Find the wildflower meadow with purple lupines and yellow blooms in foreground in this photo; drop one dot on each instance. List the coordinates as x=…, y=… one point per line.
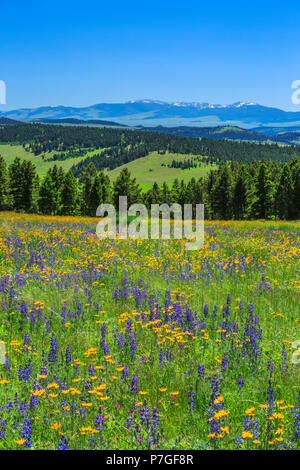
x=122, y=344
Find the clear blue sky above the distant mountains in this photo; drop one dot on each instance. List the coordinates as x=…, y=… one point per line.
x=82, y=53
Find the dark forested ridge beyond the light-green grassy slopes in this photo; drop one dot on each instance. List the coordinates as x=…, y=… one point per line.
x=119, y=146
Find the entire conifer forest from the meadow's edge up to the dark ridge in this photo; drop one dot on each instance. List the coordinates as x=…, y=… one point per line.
x=243, y=180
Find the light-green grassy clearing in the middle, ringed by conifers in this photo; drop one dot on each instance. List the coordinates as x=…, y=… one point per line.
x=149, y=169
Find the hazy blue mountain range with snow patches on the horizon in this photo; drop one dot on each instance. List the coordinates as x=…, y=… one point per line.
x=154, y=113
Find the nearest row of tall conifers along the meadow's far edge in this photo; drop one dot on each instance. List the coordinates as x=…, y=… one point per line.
x=235, y=190
